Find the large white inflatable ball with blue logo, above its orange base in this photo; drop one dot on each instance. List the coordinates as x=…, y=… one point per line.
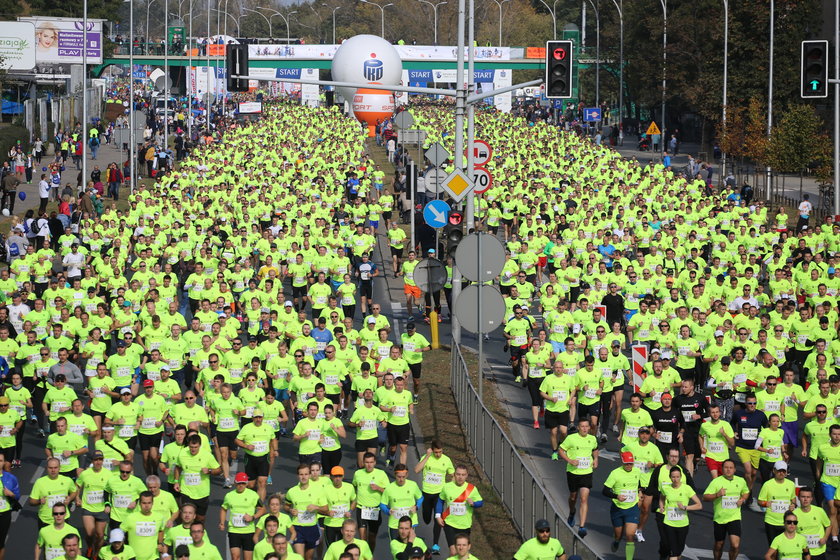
x=367, y=59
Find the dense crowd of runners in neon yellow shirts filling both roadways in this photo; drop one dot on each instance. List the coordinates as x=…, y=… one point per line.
x=229, y=314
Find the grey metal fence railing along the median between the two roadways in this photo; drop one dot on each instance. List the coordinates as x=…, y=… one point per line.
x=520, y=490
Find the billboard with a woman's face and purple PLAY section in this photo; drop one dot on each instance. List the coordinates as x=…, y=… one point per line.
x=60, y=40
